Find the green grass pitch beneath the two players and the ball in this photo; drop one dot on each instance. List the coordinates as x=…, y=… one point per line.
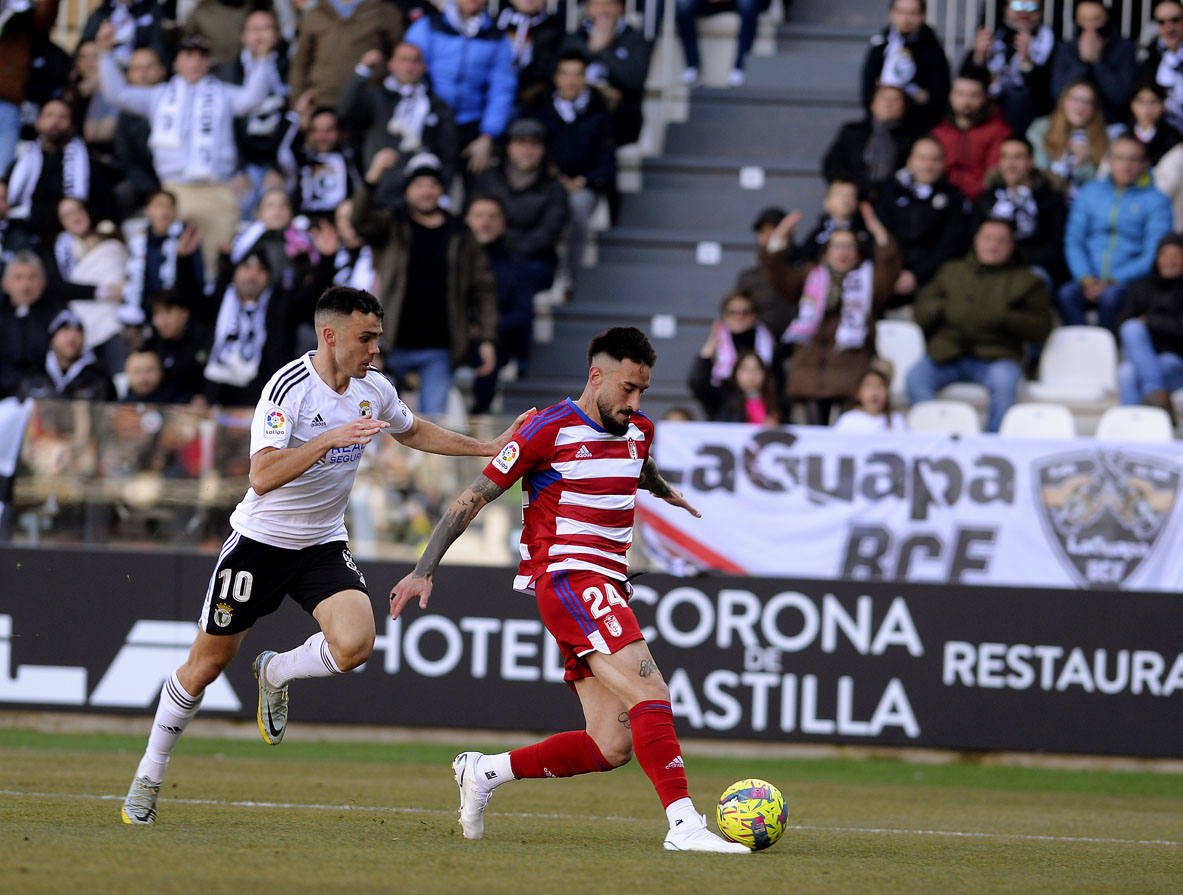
x=361, y=818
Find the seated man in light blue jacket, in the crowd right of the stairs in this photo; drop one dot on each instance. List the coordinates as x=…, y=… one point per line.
x=1114, y=231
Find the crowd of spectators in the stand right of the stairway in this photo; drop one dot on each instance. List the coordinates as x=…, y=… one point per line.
x=1037, y=180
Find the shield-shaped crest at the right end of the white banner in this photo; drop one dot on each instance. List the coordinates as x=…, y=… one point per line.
x=1106, y=511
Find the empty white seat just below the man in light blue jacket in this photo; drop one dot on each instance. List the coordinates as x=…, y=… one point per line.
x=1079, y=364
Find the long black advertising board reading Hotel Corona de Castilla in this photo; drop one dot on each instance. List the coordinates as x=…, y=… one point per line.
x=801, y=661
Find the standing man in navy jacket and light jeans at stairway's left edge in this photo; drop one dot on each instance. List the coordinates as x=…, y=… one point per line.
x=580, y=144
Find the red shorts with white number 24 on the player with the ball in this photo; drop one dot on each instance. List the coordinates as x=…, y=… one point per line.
x=586, y=613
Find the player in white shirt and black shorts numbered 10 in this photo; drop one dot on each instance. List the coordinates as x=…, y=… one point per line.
x=311, y=429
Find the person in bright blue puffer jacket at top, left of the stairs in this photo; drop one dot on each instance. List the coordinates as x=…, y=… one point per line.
x=470, y=64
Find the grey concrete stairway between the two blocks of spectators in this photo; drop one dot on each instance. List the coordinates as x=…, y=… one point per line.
x=686, y=236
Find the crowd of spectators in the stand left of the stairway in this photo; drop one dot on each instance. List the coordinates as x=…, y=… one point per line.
x=174, y=196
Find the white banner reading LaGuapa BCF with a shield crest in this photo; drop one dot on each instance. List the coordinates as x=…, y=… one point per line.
x=811, y=503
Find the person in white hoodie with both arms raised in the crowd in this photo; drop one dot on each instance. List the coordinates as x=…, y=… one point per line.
x=192, y=138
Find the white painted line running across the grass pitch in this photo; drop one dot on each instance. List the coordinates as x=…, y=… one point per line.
x=535, y=815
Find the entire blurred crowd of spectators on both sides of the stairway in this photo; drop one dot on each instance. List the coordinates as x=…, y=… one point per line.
x=182, y=184
